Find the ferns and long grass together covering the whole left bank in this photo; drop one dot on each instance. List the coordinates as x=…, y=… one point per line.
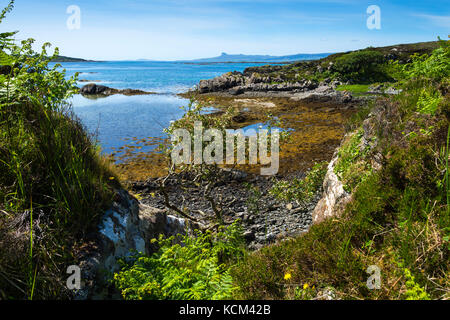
x=54, y=185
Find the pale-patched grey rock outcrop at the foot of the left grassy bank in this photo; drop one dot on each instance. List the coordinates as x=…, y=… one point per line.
x=126, y=227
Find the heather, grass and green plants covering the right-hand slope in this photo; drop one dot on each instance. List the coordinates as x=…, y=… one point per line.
x=398, y=217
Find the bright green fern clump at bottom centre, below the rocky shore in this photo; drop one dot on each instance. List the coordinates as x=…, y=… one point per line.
x=193, y=268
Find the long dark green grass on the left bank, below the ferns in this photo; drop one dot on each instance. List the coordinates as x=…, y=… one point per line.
x=52, y=173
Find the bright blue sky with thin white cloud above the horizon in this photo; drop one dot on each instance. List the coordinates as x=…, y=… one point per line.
x=176, y=30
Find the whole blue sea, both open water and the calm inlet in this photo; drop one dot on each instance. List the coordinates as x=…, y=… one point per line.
x=118, y=120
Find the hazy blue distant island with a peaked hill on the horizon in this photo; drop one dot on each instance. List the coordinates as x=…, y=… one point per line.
x=260, y=58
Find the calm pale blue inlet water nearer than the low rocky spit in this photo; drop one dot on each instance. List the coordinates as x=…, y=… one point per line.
x=117, y=119
